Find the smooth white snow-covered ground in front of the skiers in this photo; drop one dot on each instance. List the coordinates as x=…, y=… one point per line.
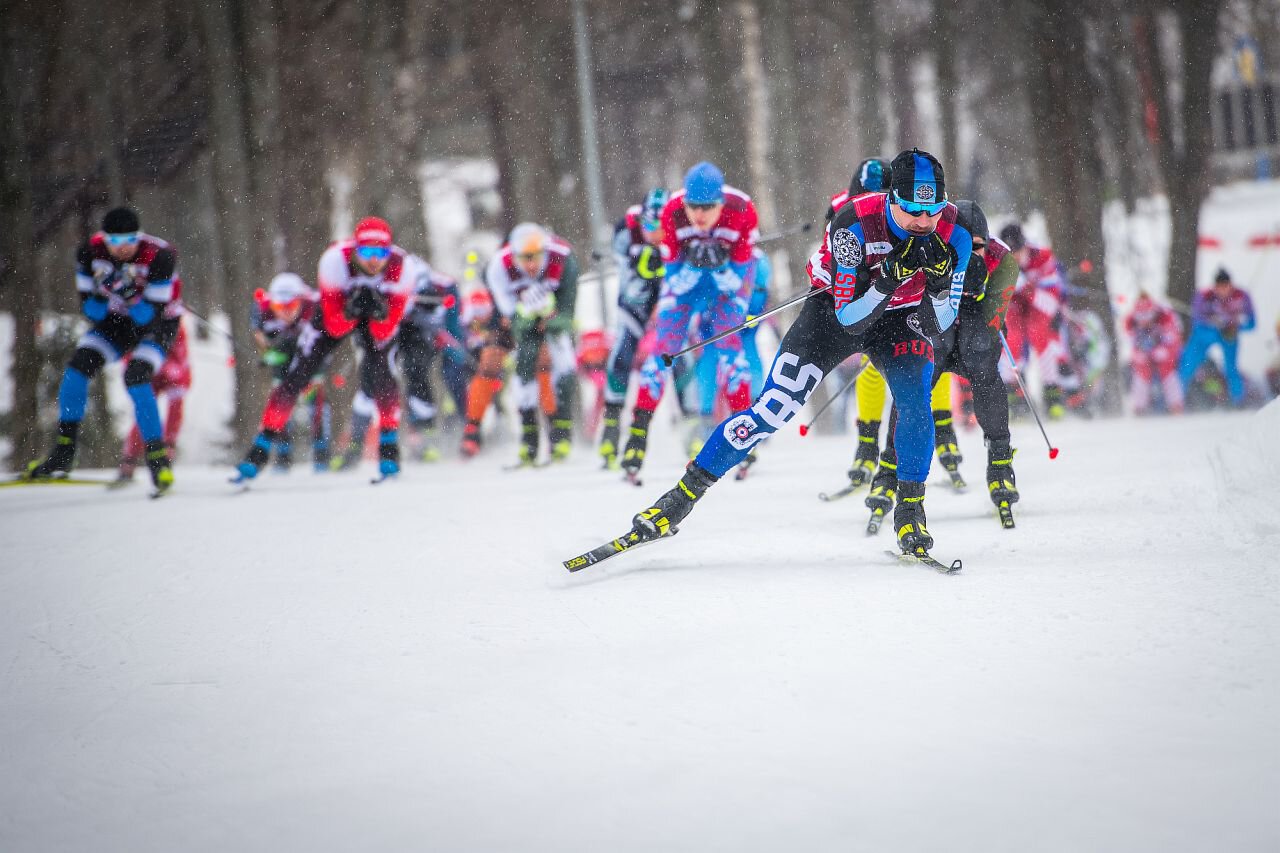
x=324, y=665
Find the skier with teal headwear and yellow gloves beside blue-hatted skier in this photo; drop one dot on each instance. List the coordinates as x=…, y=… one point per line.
x=639, y=250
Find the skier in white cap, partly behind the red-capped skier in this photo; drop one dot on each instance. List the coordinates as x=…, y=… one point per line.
x=278, y=318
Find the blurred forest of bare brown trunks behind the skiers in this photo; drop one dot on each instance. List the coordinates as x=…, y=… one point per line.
x=226, y=121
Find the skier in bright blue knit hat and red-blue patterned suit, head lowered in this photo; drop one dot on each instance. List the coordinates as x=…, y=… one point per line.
x=708, y=230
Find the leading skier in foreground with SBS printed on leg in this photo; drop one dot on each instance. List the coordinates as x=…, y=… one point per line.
x=895, y=266
